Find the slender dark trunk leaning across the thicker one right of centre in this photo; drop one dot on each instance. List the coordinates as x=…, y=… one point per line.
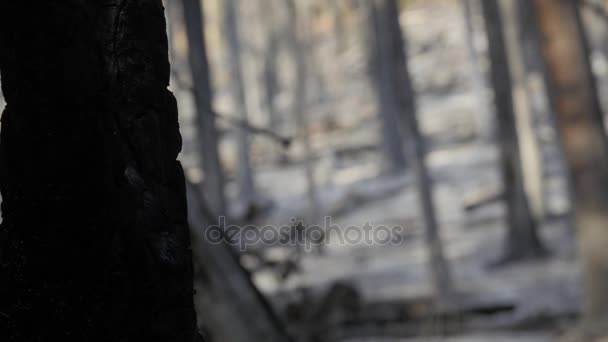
x=403, y=98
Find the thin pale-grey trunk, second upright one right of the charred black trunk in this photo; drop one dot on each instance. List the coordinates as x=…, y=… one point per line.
x=244, y=178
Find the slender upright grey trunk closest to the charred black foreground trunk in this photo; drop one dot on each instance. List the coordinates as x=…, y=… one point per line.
x=213, y=183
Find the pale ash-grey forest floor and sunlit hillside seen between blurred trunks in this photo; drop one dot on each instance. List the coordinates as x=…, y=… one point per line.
x=526, y=301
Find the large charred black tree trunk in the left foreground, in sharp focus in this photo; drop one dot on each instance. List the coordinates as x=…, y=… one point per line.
x=94, y=238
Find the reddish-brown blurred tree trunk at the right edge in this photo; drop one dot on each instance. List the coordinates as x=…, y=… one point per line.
x=575, y=101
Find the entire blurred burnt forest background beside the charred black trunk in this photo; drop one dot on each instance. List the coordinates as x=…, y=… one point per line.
x=476, y=126
